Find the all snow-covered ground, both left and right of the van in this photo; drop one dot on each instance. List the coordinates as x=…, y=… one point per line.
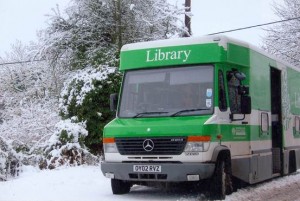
x=87, y=183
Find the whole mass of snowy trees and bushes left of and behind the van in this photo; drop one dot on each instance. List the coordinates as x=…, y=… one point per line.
x=78, y=46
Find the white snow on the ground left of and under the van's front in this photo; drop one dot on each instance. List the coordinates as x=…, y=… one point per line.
x=82, y=183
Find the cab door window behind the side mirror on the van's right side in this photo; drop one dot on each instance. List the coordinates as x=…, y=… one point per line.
x=234, y=97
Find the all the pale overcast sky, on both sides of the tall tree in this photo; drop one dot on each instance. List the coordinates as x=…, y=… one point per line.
x=20, y=19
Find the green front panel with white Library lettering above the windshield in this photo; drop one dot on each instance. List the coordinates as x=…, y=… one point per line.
x=168, y=56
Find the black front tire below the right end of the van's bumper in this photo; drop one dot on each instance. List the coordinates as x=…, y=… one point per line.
x=221, y=184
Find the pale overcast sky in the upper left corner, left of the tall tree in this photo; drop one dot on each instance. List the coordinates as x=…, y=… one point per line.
x=21, y=19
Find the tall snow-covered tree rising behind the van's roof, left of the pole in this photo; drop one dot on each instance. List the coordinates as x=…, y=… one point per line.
x=91, y=32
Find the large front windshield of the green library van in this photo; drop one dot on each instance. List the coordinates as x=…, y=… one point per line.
x=173, y=91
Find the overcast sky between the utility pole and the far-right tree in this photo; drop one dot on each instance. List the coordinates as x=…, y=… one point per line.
x=222, y=15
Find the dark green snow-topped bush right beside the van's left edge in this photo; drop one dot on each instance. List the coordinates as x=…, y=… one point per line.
x=86, y=97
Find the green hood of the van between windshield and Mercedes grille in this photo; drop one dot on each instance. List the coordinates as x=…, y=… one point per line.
x=162, y=126
